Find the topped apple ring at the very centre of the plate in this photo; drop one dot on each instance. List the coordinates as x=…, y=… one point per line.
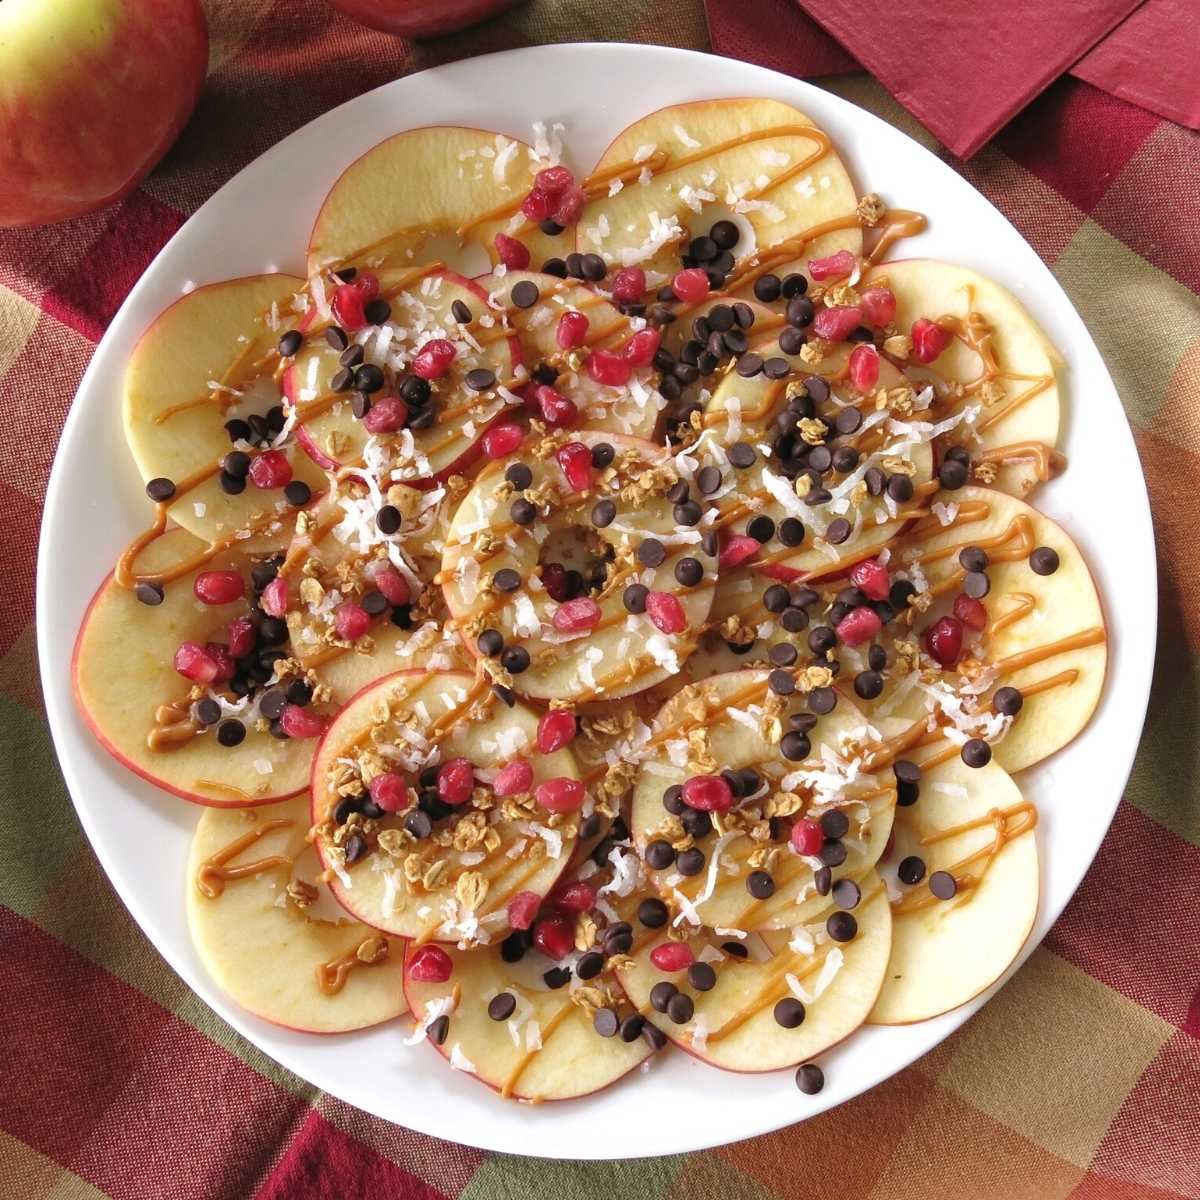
x=592, y=646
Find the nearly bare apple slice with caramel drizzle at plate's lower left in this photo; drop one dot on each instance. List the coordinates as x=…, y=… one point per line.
x=253, y=915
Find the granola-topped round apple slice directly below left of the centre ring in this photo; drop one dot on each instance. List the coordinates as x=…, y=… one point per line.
x=452, y=877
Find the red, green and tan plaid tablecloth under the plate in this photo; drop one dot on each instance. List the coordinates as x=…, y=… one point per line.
x=1081, y=1079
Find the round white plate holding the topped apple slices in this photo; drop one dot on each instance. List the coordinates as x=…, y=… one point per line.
x=260, y=221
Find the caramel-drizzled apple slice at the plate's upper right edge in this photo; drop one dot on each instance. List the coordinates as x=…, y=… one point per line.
x=999, y=357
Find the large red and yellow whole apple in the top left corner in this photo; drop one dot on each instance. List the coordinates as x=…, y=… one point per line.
x=93, y=94
